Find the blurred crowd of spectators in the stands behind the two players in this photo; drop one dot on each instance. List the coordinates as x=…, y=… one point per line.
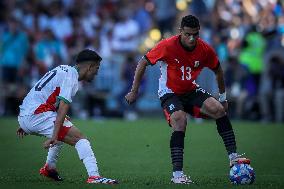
x=38, y=35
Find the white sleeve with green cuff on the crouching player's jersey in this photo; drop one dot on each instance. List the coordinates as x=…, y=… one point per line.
x=68, y=87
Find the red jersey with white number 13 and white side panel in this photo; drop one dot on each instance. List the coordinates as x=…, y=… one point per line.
x=179, y=67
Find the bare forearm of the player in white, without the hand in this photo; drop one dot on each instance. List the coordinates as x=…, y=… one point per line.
x=61, y=113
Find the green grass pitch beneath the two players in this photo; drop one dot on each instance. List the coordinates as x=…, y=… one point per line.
x=137, y=154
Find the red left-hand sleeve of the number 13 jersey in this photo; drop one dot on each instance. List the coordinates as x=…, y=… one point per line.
x=157, y=53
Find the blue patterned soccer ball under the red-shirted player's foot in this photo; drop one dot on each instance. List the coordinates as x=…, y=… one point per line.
x=242, y=174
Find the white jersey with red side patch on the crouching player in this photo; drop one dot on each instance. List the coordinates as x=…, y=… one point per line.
x=59, y=83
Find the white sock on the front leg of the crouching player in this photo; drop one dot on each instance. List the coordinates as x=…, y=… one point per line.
x=86, y=154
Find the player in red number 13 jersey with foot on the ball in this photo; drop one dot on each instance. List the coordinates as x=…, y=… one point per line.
x=181, y=58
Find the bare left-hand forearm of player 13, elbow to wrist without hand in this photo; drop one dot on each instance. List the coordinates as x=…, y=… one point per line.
x=139, y=72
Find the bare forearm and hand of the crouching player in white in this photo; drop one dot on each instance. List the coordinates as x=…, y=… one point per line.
x=61, y=113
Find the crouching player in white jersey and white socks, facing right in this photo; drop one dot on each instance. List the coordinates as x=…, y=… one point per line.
x=43, y=112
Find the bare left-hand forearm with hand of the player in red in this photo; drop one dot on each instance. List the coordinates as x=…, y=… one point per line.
x=139, y=72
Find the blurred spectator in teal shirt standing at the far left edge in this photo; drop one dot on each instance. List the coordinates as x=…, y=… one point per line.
x=13, y=52
